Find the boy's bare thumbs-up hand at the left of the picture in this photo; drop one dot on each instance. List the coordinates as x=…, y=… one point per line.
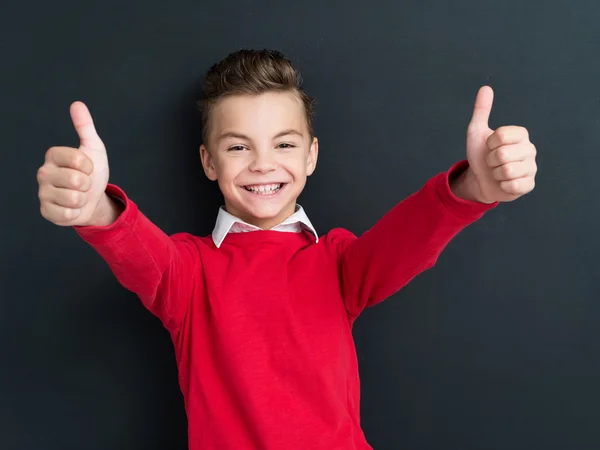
x=72, y=181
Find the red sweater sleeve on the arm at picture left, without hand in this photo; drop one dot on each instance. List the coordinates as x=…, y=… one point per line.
x=160, y=269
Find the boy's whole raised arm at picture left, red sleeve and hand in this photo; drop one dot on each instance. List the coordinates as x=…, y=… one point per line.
x=74, y=191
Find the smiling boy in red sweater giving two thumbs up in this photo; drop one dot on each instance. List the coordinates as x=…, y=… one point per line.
x=261, y=312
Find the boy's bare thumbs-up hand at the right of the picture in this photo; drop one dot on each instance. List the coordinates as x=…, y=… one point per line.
x=502, y=164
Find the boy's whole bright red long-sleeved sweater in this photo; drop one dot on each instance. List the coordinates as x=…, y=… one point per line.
x=262, y=326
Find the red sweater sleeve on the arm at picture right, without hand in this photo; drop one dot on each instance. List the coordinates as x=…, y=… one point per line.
x=403, y=243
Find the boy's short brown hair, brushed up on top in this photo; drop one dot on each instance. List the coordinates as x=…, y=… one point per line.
x=252, y=72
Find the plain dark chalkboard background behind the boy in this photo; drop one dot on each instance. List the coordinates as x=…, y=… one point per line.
x=496, y=347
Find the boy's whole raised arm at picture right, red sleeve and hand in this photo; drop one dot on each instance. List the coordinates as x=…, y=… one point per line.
x=500, y=167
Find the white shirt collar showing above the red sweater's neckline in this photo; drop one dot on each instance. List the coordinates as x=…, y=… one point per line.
x=228, y=223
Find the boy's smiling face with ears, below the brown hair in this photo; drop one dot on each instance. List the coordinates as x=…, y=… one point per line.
x=260, y=154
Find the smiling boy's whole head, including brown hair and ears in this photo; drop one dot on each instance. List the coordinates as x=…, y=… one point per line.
x=258, y=139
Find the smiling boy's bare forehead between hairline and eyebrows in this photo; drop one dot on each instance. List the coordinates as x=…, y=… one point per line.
x=259, y=114
